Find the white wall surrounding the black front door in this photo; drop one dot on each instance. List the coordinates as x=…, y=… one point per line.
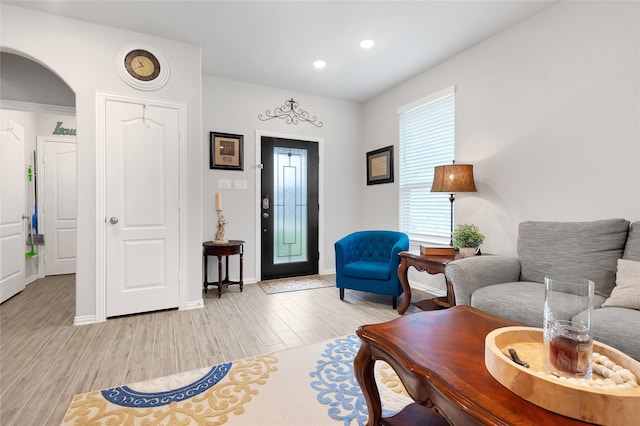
x=233, y=107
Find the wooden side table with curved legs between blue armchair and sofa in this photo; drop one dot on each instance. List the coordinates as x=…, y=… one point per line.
x=431, y=265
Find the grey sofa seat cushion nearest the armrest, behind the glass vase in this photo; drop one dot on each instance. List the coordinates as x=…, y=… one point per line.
x=518, y=301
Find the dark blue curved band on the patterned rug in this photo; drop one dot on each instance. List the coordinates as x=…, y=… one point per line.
x=127, y=397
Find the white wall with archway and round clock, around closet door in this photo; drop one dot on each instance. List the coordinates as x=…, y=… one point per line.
x=83, y=56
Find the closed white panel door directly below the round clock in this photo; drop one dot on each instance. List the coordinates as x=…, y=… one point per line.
x=142, y=206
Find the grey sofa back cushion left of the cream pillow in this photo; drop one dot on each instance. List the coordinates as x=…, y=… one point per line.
x=570, y=250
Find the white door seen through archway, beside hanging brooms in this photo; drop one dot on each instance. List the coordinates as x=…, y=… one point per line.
x=59, y=197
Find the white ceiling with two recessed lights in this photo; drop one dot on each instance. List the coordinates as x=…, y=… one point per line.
x=274, y=43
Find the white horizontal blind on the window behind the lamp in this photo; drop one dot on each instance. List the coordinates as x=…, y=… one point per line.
x=427, y=136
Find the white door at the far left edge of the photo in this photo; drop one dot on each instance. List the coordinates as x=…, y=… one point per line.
x=12, y=206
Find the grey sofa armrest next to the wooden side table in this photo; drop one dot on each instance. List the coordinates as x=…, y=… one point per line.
x=471, y=273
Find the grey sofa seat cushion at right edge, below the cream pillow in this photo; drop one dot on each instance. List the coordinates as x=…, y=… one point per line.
x=617, y=327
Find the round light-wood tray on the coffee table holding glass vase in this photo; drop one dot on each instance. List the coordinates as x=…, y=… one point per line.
x=590, y=404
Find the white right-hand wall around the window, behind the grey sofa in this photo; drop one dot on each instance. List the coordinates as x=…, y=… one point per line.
x=548, y=113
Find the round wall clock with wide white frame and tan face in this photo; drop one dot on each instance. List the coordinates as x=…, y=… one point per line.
x=142, y=67
